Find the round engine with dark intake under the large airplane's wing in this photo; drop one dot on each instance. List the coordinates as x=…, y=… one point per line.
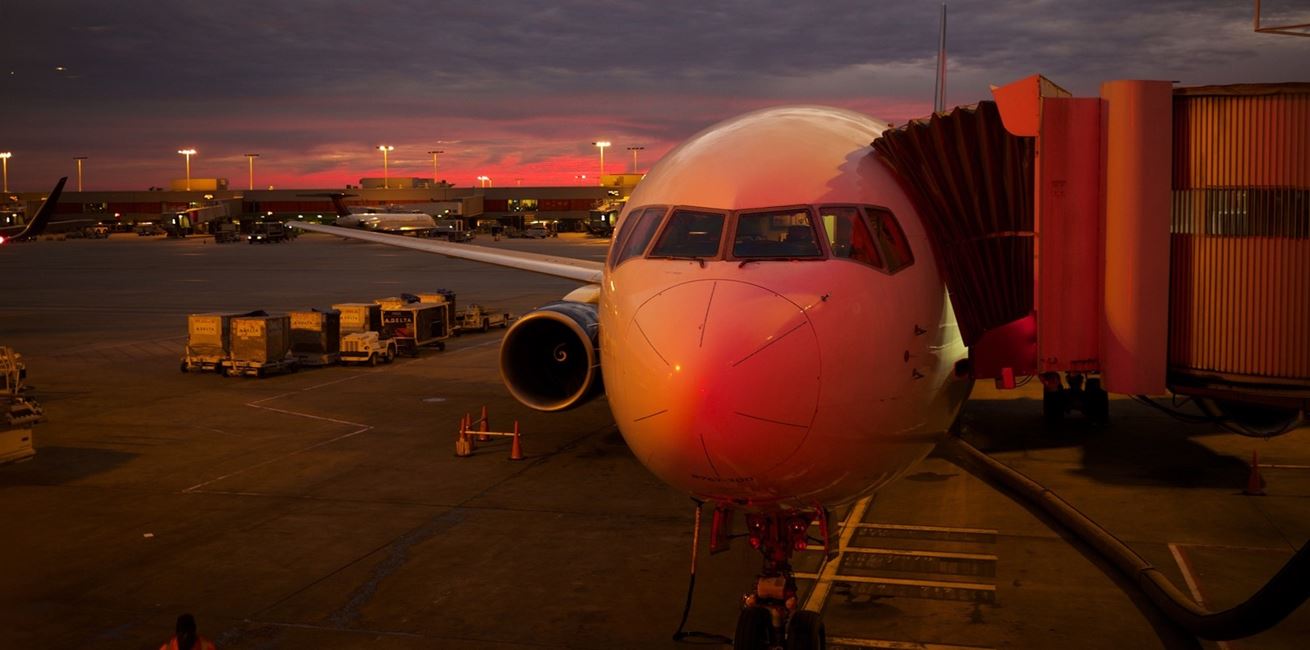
x=551, y=357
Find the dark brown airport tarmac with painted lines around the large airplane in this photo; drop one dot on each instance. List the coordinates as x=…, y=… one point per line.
x=328, y=509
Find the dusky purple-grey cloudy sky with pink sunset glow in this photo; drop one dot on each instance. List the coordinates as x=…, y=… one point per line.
x=519, y=90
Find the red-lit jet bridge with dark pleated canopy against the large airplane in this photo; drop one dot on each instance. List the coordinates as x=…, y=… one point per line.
x=1153, y=237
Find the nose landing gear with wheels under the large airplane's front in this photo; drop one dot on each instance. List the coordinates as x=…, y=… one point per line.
x=771, y=615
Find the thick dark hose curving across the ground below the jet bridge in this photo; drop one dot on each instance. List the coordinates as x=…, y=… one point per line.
x=1274, y=602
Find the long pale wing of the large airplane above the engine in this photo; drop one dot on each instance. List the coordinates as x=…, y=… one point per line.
x=580, y=271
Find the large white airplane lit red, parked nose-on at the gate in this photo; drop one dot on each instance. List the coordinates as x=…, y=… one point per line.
x=774, y=332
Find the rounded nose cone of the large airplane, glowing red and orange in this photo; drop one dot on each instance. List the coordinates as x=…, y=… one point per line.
x=732, y=375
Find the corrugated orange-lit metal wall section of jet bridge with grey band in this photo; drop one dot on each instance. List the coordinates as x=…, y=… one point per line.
x=1240, y=294
